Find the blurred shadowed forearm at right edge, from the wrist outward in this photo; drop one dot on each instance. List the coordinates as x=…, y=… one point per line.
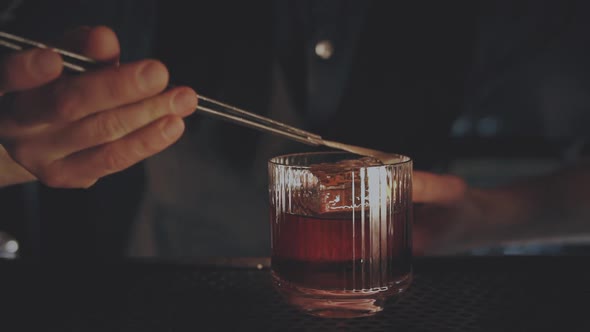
x=553, y=205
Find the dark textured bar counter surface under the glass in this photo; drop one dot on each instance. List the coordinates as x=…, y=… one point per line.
x=466, y=293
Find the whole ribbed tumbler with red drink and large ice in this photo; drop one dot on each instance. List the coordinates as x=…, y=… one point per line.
x=341, y=231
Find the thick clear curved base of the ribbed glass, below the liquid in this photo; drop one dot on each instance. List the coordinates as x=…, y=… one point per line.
x=339, y=303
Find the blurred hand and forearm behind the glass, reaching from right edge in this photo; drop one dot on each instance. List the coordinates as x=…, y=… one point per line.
x=554, y=205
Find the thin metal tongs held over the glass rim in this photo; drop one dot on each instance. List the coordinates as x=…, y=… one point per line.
x=78, y=63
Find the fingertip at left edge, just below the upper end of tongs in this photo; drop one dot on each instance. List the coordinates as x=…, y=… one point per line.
x=29, y=69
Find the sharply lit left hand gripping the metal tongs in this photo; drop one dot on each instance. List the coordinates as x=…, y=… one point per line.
x=69, y=131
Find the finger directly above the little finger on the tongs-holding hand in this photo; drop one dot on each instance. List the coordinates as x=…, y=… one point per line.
x=111, y=125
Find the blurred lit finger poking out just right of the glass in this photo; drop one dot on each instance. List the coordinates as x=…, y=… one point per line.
x=437, y=189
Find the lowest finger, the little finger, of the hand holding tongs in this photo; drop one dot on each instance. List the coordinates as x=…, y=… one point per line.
x=83, y=168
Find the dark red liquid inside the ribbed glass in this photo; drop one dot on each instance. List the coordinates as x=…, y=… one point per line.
x=335, y=251
